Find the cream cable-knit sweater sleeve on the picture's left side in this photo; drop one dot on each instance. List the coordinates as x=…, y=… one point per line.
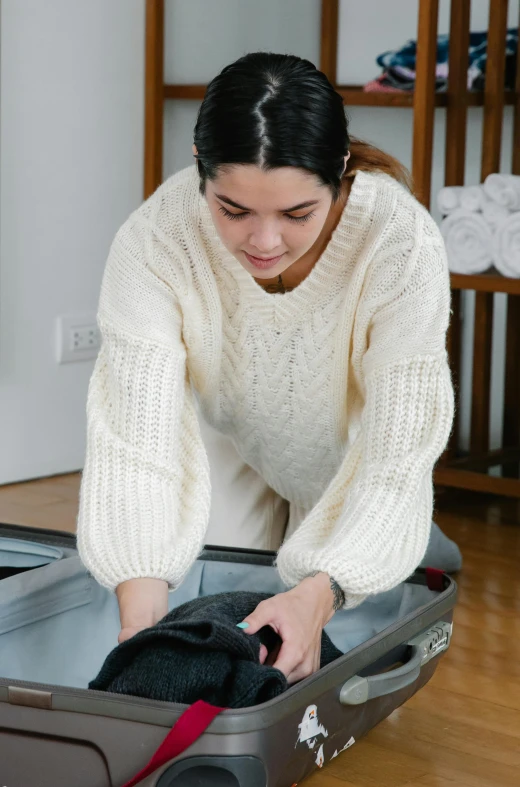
x=145, y=491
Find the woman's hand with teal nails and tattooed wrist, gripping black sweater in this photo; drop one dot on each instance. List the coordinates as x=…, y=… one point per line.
x=298, y=616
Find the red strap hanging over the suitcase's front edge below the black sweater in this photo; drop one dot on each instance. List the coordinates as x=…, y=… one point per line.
x=184, y=732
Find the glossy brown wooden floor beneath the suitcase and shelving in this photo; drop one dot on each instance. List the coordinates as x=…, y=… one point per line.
x=463, y=729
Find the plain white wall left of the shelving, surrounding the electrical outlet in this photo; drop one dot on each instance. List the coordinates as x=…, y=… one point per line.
x=71, y=160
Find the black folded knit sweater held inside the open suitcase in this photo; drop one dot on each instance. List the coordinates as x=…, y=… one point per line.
x=197, y=652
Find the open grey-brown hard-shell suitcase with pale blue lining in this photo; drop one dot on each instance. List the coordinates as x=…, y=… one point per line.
x=57, y=626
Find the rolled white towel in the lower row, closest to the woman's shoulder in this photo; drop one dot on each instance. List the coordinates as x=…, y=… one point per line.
x=469, y=242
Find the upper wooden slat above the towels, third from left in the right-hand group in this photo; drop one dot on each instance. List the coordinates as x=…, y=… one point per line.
x=494, y=88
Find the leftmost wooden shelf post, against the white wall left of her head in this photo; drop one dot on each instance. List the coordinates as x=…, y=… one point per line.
x=154, y=104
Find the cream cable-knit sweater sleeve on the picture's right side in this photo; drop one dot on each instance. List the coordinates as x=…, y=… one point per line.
x=370, y=529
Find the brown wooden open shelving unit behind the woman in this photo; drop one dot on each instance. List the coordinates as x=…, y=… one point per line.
x=468, y=471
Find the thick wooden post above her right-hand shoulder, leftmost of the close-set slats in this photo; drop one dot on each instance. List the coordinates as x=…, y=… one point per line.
x=424, y=98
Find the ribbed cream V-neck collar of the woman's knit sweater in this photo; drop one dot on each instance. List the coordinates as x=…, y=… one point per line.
x=330, y=271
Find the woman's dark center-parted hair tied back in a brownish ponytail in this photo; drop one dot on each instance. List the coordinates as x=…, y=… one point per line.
x=280, y=111
